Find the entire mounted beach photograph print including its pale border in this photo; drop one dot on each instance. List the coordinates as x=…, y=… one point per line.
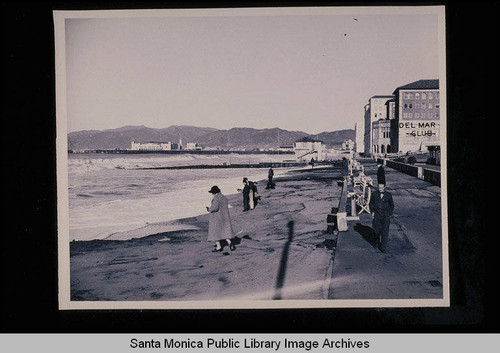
x=252, y=158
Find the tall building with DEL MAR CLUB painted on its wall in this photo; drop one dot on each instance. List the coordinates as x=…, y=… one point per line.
x=417, y=116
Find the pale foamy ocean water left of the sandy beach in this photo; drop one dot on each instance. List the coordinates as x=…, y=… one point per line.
x=109, y=194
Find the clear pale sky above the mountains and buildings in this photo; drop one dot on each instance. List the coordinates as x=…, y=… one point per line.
x=300, y=72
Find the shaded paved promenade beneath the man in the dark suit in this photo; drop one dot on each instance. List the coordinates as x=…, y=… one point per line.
x=412, y=268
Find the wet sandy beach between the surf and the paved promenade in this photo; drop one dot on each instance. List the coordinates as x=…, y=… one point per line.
x=282, y=251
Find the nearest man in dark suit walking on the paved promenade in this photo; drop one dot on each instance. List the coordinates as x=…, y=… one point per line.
x=381, y=207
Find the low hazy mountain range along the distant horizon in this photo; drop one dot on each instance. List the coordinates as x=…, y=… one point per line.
x=121, y=138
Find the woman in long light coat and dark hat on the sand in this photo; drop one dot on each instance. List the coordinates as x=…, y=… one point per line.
x=219, y=226
